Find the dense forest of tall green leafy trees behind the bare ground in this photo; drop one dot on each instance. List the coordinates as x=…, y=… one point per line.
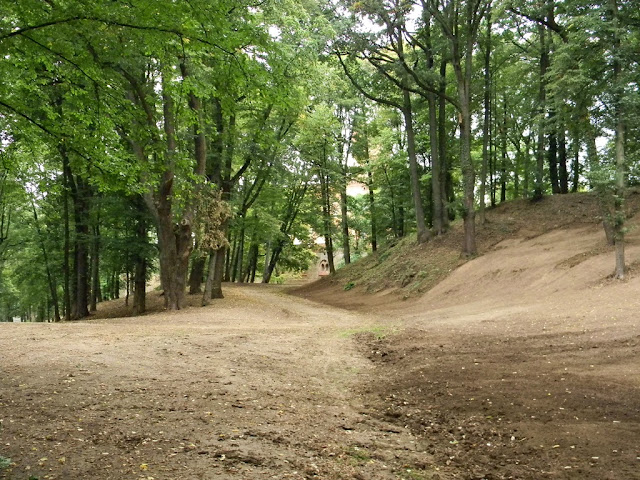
x=205, y=142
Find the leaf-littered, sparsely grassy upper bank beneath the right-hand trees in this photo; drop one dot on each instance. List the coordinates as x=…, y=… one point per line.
x=406, y=270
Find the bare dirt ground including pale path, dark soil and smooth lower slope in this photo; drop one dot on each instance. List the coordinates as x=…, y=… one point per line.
x=523, y=363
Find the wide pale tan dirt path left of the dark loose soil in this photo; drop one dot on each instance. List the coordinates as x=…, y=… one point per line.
x=260, y=385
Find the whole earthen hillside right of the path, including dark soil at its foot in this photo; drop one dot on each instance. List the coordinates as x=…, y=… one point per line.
x=520, y=363
